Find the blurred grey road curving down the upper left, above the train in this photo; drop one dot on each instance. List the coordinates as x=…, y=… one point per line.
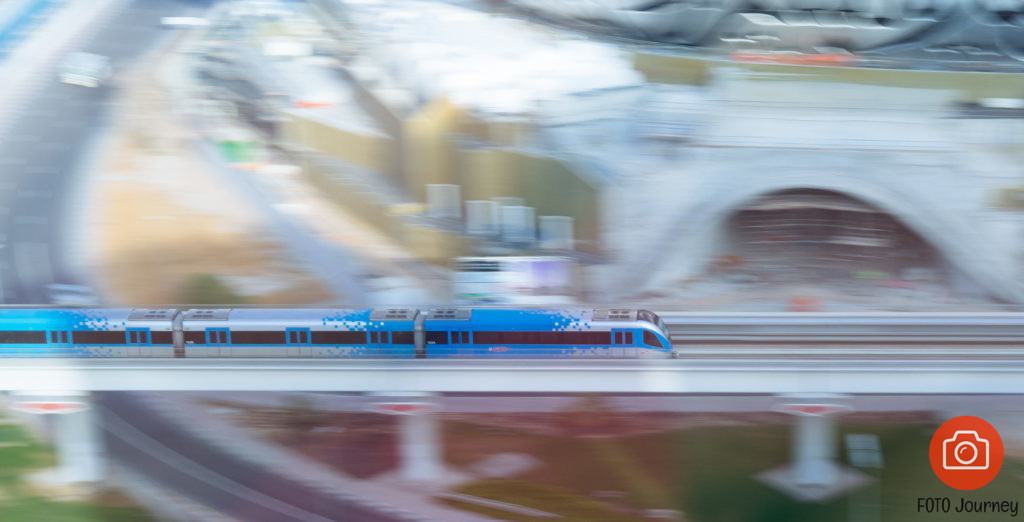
x=45, y=149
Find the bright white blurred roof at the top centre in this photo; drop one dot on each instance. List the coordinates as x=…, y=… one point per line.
x=496, y=66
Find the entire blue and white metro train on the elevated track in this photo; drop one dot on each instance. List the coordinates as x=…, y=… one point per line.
x=331, y=333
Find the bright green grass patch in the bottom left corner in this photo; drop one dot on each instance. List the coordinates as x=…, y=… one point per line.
x=21, y=456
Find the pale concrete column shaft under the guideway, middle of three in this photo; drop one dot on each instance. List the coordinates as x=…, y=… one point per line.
x=420, y=447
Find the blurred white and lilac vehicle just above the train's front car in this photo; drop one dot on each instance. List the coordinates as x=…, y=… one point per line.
x=510, y=280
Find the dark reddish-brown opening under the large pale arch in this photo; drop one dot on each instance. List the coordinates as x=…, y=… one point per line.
x=824, y=238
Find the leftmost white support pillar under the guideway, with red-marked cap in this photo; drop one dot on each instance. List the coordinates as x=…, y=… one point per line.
x=75, y=434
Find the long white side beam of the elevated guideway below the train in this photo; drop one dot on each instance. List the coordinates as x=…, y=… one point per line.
x=764, y=375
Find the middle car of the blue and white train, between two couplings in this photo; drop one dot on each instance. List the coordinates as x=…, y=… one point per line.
x=324, y=333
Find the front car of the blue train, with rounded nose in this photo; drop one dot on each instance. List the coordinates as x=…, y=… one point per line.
x=543, y=334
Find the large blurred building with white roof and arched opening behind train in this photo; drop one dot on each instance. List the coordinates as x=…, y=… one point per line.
x=665, y=163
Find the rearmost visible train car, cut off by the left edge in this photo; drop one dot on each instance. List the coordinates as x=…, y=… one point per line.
x=87, y=333
